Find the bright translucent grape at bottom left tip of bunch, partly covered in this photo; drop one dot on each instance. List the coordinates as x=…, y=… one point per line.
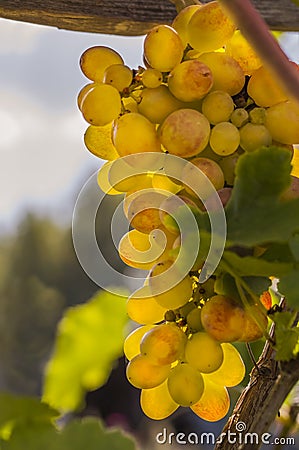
x=156, y=403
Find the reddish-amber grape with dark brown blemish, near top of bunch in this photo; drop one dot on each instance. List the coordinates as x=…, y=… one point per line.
x=190, y=81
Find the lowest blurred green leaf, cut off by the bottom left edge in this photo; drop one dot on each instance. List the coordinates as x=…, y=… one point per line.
x=77, y=435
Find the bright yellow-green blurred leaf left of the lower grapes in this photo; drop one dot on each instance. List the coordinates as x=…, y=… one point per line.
x=90, y=338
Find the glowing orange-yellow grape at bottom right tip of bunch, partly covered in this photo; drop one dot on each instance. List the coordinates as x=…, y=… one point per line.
x=214, y=402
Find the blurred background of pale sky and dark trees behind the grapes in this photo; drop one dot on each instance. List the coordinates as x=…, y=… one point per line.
x=43, y=166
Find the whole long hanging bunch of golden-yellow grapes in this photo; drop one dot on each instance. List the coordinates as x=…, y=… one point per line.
x=205, y=97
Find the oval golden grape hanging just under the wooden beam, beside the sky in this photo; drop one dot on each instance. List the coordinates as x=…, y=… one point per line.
x=163, y=48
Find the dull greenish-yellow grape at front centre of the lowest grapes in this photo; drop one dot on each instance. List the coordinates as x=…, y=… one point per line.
x=185, y=384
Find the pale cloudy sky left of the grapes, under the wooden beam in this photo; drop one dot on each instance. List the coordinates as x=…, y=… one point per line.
x=42, y=156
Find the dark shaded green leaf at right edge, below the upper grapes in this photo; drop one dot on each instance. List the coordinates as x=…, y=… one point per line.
x=255, y=213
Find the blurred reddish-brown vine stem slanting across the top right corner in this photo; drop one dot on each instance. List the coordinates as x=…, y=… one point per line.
x=256, y=31
